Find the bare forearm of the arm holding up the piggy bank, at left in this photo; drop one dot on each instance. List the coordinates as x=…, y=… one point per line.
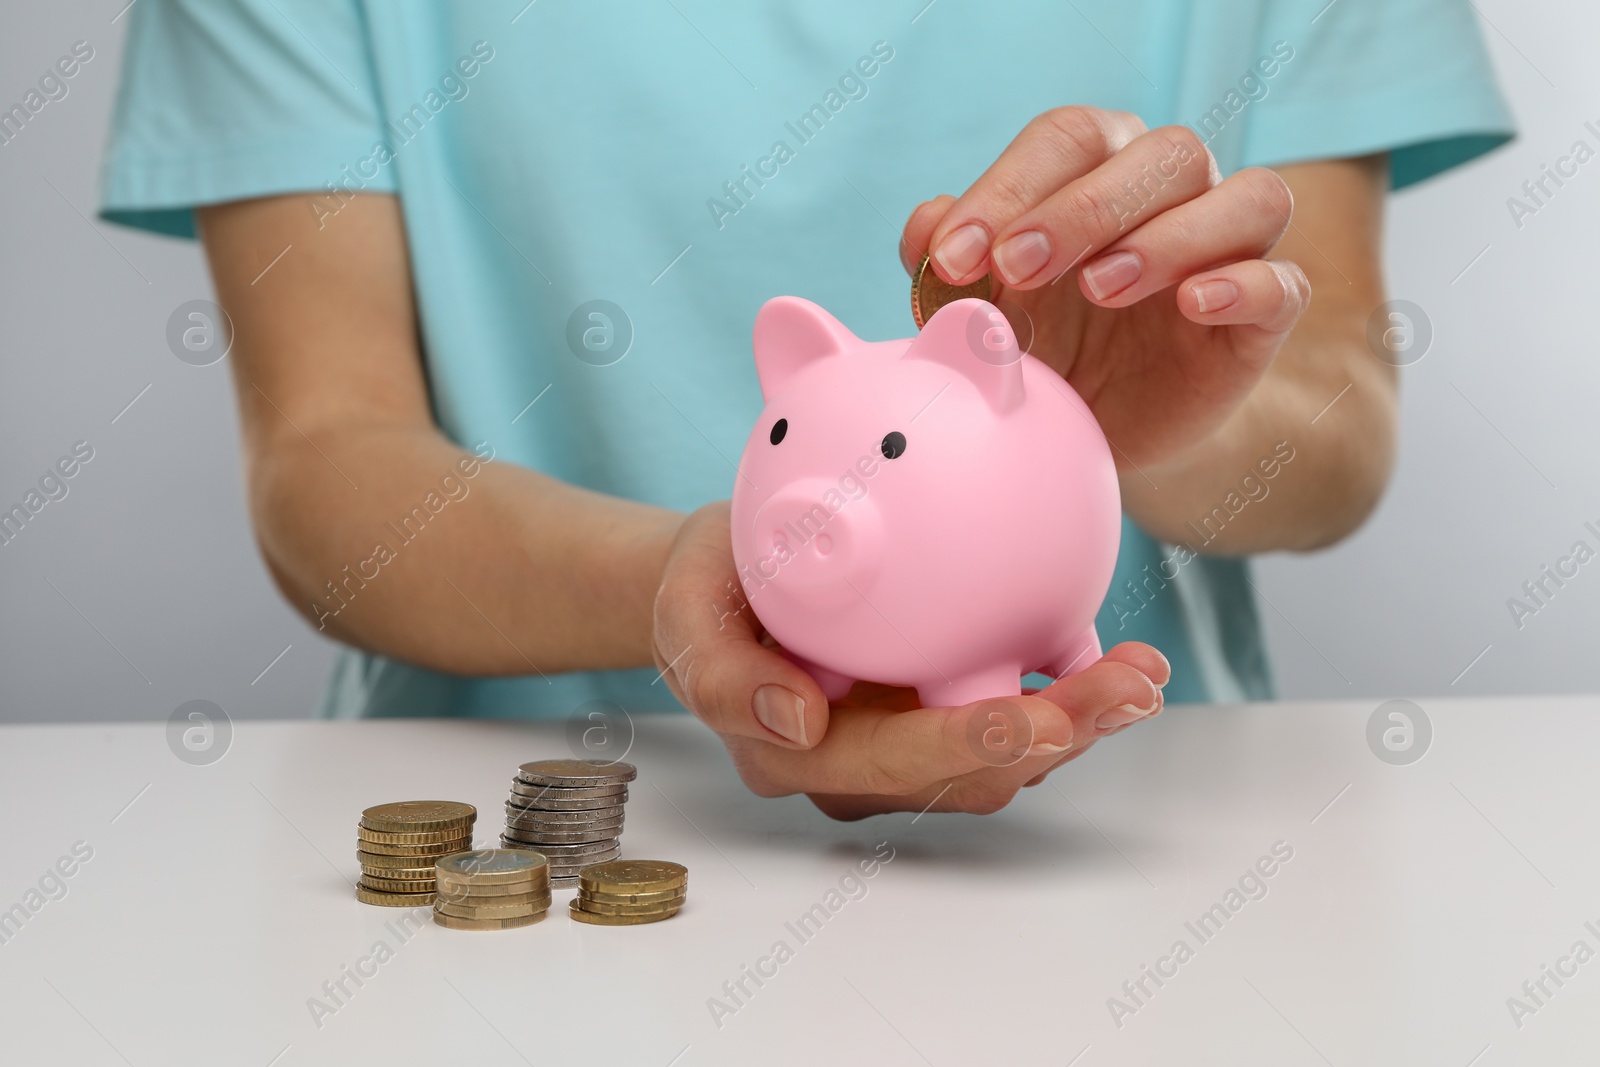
x=398, y=541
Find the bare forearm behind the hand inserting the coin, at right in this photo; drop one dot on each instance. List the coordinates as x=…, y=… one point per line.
x=1286, y=471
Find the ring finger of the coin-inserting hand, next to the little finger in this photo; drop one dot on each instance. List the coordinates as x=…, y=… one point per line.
x=1239, y=220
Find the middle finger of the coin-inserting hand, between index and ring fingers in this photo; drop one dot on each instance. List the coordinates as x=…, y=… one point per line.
x=1158, y=172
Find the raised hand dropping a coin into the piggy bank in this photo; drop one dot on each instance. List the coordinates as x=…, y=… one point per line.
x=1174, y=316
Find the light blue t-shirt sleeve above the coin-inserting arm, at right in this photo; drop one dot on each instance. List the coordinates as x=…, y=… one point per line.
x=1358, y=78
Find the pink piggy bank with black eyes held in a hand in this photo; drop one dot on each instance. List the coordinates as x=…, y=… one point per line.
x=938, y=513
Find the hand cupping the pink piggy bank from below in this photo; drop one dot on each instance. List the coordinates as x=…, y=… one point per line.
x=876, y=751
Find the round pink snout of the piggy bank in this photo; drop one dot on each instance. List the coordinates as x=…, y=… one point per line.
x=815, y=541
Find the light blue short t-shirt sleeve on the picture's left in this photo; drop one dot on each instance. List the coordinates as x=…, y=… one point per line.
x=228, y=100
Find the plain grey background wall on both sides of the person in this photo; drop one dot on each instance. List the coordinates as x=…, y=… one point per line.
x=143, y=589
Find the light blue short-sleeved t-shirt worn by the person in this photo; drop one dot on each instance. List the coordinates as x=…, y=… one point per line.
x=684, y=162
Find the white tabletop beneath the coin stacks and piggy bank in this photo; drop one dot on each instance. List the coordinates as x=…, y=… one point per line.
x=1418, y=900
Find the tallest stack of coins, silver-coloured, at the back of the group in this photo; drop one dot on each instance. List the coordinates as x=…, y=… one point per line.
x=570, y=812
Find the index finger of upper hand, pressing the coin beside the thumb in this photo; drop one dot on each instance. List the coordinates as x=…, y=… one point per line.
x=1052, y=151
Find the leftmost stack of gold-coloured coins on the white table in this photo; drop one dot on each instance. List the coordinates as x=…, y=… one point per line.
x=399, y=845
